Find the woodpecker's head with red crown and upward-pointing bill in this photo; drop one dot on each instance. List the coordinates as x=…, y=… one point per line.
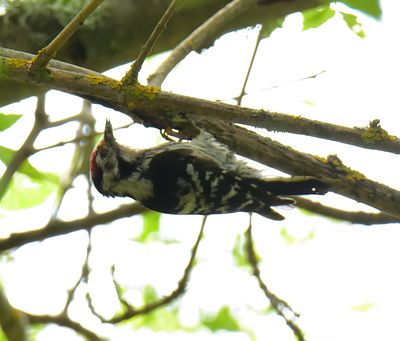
x=104, y=169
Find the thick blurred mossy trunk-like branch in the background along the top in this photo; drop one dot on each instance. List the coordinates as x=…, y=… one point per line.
x=117, y=29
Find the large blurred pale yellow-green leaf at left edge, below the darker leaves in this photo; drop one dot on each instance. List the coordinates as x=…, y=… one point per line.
x=24, y=192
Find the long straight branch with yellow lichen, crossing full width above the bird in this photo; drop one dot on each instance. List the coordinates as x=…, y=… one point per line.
x=147, y=103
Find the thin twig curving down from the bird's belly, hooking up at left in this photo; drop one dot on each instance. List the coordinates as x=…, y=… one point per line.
x=180, y=289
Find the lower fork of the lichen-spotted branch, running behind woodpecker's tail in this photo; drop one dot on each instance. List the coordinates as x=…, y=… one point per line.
x=341, y=179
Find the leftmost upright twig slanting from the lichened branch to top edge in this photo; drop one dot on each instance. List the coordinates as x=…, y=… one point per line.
x=46, y=54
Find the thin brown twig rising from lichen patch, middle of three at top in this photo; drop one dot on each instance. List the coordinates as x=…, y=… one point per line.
x=131, y=76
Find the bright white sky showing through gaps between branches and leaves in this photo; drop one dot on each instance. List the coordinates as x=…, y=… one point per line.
x=343, y=267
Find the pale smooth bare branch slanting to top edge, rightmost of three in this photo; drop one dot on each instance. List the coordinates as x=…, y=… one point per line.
x=197, y=39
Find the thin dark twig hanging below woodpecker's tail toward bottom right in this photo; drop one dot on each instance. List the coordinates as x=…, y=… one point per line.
x=281, y=307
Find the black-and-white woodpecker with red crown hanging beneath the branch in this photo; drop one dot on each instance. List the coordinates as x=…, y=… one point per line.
x=198, y=177
